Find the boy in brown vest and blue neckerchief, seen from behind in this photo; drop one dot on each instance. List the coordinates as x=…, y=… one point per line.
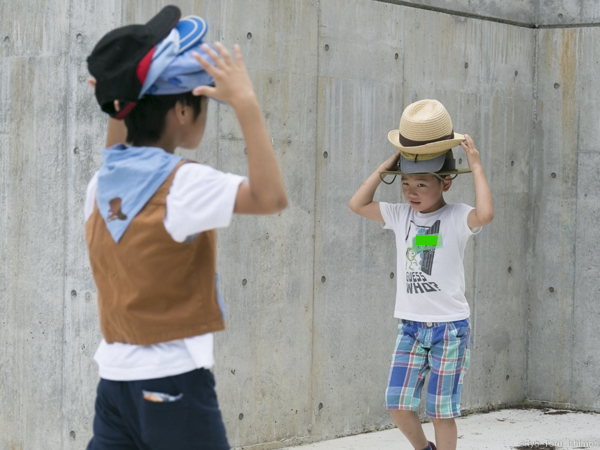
x=150, y=221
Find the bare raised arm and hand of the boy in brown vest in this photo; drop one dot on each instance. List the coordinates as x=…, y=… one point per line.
x=265, y=192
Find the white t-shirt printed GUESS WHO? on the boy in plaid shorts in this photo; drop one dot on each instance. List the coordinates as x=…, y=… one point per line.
x=431, y=282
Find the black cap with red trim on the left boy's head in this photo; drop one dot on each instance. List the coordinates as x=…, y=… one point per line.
x=121, y=59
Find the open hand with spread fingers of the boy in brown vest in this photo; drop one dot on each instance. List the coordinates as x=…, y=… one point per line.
x=232, y=83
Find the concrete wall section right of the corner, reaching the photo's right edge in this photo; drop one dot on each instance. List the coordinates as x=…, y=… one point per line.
x=564, y=365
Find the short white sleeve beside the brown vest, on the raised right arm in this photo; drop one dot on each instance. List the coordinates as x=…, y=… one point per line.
x=201, y=198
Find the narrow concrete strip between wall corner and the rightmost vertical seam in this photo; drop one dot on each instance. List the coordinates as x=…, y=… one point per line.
x=555, y=218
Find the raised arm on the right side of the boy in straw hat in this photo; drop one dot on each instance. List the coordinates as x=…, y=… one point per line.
x=484, y=206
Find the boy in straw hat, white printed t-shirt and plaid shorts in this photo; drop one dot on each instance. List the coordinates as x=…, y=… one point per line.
x=431, y=235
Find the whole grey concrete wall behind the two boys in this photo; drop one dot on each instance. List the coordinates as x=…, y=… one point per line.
x=310, y=292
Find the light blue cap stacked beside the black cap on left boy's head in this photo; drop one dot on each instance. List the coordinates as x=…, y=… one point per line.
x=173, y=69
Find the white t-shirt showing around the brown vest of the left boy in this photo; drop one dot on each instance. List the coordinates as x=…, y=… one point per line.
x=200, y=199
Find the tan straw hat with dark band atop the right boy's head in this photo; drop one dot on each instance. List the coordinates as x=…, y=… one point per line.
x=425, y=131
